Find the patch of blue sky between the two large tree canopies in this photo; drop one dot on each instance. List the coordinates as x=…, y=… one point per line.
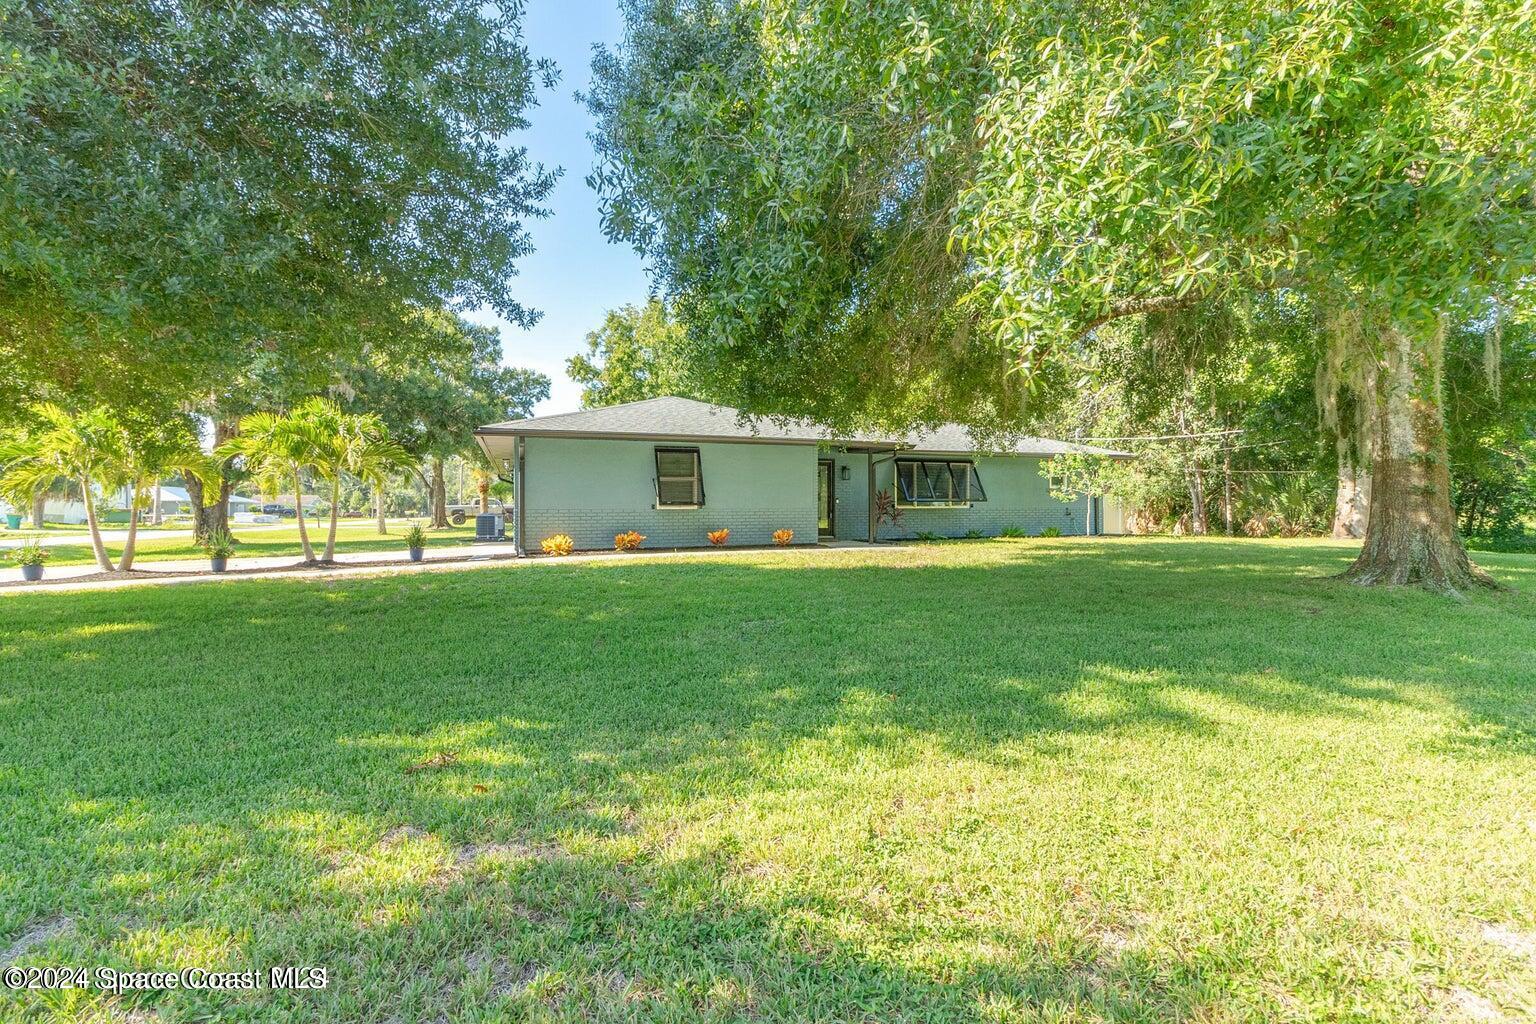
x=577, y=274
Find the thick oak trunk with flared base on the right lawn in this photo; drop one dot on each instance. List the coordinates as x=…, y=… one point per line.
x=1411, y=535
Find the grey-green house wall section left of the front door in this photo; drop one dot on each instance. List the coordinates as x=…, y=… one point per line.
x=595, y=489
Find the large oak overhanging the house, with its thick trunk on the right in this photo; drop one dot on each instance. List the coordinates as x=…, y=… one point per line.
x=918, y=211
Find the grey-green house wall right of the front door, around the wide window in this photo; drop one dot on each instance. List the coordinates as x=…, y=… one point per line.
x=1018, y=495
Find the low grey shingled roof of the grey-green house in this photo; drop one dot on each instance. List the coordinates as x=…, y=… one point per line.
x=686, y=420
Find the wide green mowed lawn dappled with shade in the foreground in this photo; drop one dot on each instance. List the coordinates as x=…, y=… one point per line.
x=1041, y=781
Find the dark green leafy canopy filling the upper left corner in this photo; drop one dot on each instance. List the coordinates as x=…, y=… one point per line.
x=191, y=190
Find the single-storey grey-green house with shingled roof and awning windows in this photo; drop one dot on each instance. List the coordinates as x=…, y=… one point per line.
x=675, y=469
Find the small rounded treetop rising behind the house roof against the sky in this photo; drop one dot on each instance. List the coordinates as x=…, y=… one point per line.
x=638, y=354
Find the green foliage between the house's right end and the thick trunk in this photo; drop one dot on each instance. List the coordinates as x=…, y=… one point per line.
x=1193, y=394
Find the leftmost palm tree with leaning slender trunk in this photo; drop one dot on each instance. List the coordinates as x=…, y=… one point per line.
x=90, y=449
